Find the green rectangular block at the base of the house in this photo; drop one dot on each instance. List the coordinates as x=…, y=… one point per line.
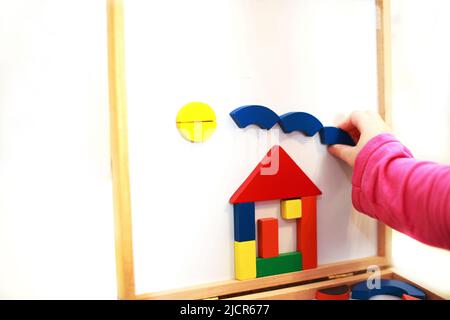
x=284, y=263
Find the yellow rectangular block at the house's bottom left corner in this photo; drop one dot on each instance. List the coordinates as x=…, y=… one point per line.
x=245, y=260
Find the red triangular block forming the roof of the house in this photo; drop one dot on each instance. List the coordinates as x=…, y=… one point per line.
x=268, y=183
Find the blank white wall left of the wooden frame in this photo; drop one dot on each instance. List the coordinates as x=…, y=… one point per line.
x=56, y=226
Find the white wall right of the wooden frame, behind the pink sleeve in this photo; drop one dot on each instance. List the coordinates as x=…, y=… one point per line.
x=421, y=115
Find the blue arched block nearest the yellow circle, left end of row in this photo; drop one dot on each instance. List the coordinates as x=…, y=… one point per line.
x=261, y=116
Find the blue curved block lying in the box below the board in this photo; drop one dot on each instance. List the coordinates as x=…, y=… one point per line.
x=387, y=287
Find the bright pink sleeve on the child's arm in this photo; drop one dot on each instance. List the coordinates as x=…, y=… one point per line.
x=410, y=196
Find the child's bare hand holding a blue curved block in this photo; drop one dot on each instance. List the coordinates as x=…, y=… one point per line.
x=362, y=126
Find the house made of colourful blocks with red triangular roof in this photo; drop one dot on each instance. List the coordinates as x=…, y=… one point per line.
x=276, y=177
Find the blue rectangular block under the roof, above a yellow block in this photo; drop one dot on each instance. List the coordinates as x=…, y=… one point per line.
x=244, y=221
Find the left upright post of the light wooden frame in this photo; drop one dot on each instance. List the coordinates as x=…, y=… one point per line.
x=119, y=151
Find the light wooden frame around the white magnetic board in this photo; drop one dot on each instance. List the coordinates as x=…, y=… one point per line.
x=121, y=183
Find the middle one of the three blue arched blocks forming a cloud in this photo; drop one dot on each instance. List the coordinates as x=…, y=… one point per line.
x=300, y=121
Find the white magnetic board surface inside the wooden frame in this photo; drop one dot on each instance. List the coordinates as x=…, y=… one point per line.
x=317, y=56
